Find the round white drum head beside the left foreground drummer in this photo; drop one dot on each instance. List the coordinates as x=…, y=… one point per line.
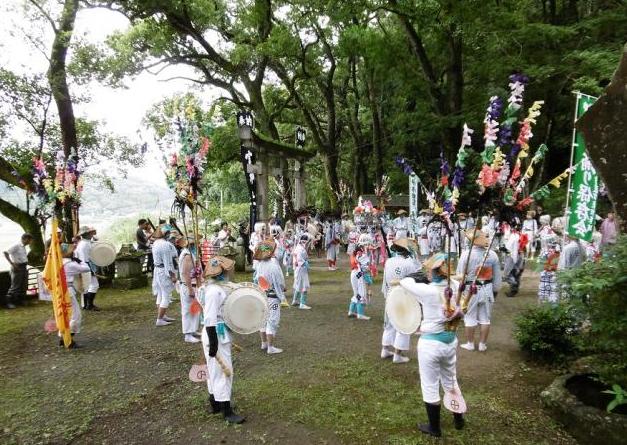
x=245, y=309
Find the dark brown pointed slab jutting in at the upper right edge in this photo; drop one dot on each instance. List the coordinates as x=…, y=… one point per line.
x=603, y=127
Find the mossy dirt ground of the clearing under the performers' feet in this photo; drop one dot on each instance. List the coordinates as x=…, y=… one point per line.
x=128, y=382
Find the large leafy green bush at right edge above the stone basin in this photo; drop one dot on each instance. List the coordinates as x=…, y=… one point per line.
x=600, y=290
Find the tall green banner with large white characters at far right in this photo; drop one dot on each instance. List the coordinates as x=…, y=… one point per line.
x=585, y=185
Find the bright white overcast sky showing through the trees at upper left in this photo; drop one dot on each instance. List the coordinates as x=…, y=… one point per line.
x=120, y=109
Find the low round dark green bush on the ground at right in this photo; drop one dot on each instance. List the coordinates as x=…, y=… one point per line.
x=548, y=333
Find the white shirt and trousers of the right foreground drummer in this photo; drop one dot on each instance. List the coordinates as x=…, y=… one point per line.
x=436, y=359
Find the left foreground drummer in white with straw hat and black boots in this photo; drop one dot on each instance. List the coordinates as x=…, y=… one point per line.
x=216, y=340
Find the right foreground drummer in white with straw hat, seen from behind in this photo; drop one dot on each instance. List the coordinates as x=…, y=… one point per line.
x=437, y=346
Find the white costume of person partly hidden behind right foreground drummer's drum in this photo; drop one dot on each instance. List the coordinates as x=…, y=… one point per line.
x=396, y=268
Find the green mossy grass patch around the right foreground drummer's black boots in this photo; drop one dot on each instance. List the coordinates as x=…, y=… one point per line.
x=361, y=403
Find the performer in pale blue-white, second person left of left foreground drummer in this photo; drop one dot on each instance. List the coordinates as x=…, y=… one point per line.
x=164, y=276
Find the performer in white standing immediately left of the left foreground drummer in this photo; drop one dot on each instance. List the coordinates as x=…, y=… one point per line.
x=187, y=290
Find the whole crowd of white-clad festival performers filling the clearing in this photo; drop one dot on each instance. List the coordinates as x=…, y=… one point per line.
x=454, y=269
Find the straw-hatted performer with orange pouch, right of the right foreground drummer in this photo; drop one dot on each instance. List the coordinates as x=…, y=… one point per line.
x=486, y=277
